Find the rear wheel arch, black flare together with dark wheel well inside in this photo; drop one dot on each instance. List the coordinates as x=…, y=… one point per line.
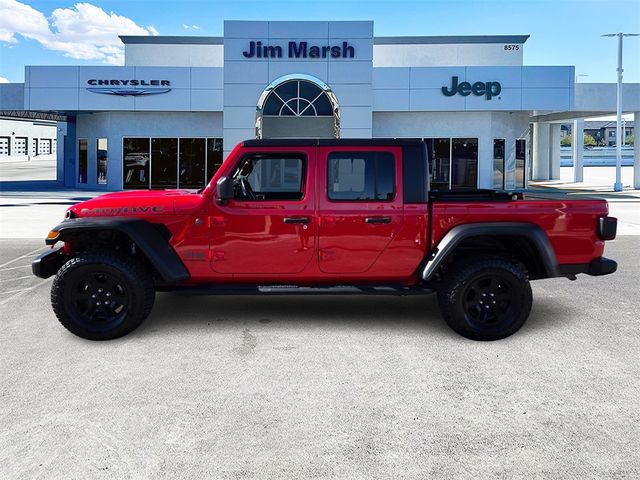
x=524, y=241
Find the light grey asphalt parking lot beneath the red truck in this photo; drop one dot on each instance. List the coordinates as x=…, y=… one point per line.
x=323, y=387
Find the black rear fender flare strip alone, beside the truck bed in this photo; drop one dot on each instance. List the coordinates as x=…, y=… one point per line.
x=457, y=234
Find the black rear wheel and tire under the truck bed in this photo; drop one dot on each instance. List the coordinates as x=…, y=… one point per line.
x=485, y=298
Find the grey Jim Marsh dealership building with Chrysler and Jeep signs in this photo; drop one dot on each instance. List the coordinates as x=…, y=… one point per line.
x=179, y=105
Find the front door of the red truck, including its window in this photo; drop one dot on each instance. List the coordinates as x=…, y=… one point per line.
x=269, y=226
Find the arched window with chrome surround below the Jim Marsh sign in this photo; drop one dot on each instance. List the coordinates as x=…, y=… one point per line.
x=297, y=106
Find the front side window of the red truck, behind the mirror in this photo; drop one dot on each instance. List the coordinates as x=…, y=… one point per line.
x=270, y=177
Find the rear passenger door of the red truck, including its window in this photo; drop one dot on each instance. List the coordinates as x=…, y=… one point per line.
x=360, y=206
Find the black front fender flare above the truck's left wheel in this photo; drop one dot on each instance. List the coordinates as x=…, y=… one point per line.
x=151, y=239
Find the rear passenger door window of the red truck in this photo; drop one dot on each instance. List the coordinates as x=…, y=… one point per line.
x=361, y=176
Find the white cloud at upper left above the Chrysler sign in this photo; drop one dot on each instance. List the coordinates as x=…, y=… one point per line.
x=85, y=32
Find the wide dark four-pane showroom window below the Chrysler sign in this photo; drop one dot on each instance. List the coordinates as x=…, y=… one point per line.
x=162, y=162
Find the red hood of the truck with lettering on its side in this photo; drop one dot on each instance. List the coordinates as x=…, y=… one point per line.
x=130, y=203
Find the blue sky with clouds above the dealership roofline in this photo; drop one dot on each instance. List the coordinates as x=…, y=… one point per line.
x=563, y=32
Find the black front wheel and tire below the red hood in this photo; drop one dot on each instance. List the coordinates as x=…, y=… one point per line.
x=102, y=295
